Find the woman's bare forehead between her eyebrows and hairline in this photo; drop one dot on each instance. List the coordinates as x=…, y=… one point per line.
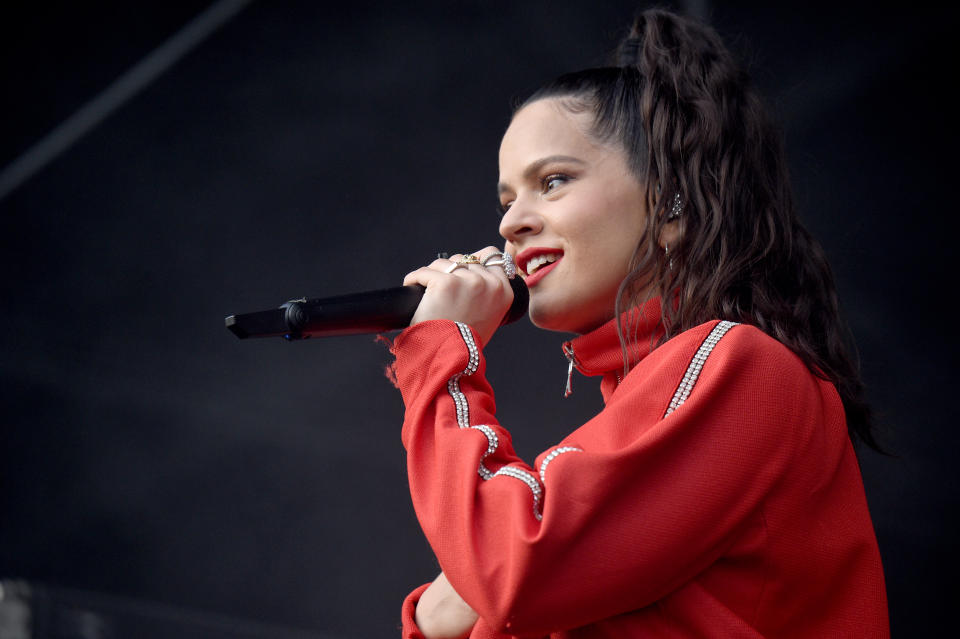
x=545, y=128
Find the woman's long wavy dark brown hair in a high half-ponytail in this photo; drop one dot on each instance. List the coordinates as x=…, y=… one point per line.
x=693, y=126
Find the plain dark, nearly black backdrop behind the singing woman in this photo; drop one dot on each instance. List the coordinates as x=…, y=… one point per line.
x=313, y=149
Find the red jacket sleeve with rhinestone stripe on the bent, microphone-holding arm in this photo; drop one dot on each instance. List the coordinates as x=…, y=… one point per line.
x=627, y=508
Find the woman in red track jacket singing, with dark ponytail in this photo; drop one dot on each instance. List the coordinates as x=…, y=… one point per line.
x=718, y=493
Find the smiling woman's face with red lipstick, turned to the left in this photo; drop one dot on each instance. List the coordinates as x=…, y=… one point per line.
x=574, y=215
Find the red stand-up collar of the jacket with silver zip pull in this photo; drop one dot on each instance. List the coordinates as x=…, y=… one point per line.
x=599, y=352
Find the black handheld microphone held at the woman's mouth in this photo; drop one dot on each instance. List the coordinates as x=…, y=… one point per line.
x=369, y=312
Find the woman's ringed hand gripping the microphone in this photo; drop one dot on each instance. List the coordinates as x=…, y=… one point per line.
x=476, y=295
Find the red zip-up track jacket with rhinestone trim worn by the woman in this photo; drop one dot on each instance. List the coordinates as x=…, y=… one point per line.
x=716, y=495
